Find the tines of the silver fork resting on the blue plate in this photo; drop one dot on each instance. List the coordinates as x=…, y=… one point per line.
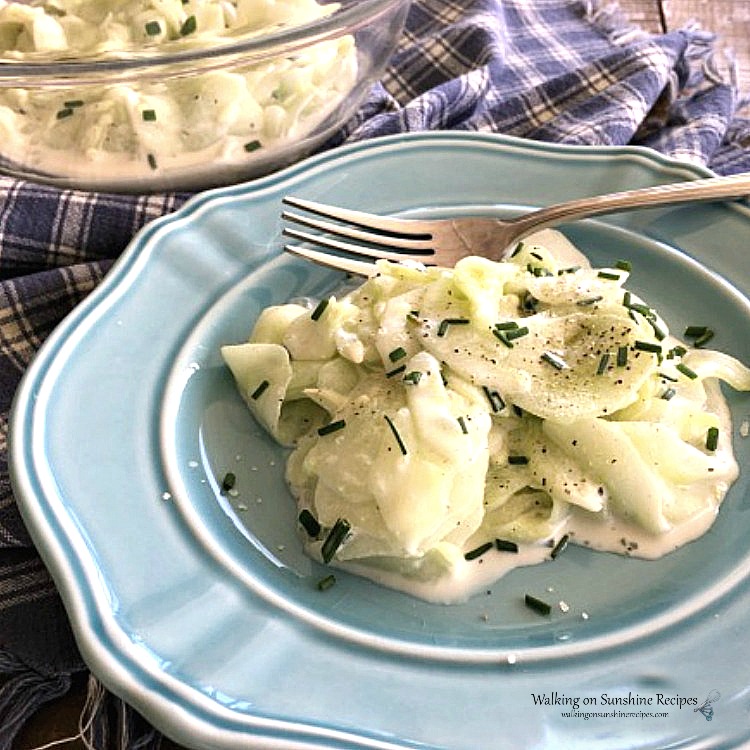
x=374, y=236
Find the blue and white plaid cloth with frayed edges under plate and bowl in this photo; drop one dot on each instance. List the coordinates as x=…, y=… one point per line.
x=567, y=71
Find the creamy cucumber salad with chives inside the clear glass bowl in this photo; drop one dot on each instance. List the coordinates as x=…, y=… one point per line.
x=164, y=125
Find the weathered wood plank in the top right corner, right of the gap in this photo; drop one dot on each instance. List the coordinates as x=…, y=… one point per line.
x=729, y=19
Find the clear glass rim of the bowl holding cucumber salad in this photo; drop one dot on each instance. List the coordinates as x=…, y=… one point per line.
x=139, y=64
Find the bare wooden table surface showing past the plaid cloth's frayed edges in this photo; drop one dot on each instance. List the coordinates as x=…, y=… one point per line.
x=729, y=19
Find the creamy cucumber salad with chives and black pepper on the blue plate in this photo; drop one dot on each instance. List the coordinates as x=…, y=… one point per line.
x=448, y=425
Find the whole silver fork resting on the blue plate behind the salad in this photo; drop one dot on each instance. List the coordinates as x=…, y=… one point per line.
x=443, y=242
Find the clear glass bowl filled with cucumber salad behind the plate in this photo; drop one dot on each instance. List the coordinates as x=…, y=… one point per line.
x=181, y=94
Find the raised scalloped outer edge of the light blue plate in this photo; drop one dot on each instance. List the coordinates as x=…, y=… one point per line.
x=81, y=609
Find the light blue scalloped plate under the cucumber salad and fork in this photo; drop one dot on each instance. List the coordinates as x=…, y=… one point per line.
x=199, y=608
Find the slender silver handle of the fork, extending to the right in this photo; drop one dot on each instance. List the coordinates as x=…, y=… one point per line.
x=707, y=189
